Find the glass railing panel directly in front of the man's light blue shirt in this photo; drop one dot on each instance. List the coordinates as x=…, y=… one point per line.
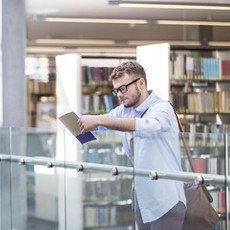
x=165, y=153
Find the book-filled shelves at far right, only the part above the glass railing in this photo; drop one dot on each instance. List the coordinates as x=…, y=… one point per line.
x=200, y=85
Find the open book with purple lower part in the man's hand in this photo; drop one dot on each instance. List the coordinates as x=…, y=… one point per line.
x=70, y=121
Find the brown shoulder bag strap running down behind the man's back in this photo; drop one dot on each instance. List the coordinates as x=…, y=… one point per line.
x=187, y=150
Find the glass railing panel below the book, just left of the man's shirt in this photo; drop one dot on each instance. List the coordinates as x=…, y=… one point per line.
x=106, y=199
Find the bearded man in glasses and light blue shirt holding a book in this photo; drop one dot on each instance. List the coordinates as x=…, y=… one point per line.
x=160, y=204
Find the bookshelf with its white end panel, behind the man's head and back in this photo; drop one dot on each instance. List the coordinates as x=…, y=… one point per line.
x=197, y=83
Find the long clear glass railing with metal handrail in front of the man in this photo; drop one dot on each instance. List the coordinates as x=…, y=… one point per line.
x=51, y=181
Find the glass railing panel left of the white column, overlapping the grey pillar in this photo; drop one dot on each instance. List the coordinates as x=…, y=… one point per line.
x=34, y=186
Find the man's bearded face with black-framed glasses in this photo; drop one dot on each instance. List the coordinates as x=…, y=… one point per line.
x=128, y=91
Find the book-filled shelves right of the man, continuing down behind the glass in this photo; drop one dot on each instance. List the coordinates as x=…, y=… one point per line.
x=200, y=83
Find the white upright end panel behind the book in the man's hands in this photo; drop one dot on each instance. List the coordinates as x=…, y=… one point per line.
x=68, y=80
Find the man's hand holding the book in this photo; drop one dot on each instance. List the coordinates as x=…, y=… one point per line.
x=88, y=122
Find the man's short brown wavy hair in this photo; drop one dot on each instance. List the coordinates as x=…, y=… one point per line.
x=130, y=68
